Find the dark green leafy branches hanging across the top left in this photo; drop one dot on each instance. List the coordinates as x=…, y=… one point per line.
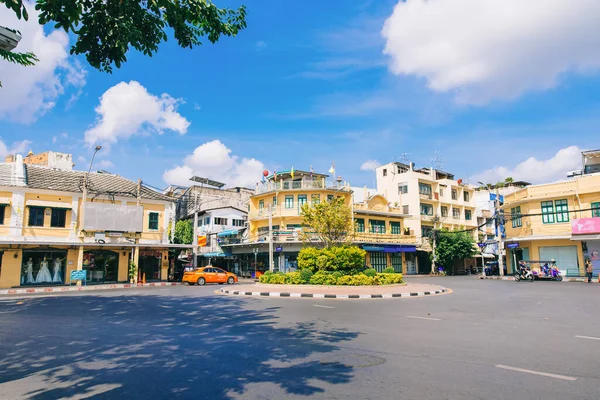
x=106, y=29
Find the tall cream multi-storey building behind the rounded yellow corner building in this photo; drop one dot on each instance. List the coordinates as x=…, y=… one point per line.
x=433, y=198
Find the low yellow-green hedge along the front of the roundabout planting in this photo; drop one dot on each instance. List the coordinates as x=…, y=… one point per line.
x=331, y=278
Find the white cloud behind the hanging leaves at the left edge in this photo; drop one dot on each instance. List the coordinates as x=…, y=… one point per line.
x=30, y=92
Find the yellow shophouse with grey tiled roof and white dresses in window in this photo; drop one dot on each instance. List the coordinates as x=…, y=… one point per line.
x=47, y=230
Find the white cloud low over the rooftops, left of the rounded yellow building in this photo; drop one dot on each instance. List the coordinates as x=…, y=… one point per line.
x=214, y=160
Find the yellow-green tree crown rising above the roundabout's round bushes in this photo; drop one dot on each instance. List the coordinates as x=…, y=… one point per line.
x=330, y=222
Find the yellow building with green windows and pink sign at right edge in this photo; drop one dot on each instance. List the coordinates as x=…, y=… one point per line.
x=559, y=220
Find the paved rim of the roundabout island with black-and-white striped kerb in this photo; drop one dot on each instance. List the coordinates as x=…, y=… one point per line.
x=336, y=292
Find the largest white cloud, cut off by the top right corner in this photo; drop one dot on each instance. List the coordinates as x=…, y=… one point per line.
x=492, y=49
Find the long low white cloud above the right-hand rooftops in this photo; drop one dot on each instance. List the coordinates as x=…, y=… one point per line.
x=534, y=170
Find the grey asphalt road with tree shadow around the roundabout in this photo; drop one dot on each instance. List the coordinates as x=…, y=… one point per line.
x=486, y=340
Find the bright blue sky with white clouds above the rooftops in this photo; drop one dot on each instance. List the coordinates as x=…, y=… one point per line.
x=311, y=83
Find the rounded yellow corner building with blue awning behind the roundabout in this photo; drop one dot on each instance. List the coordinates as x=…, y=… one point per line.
x=279, y=201
